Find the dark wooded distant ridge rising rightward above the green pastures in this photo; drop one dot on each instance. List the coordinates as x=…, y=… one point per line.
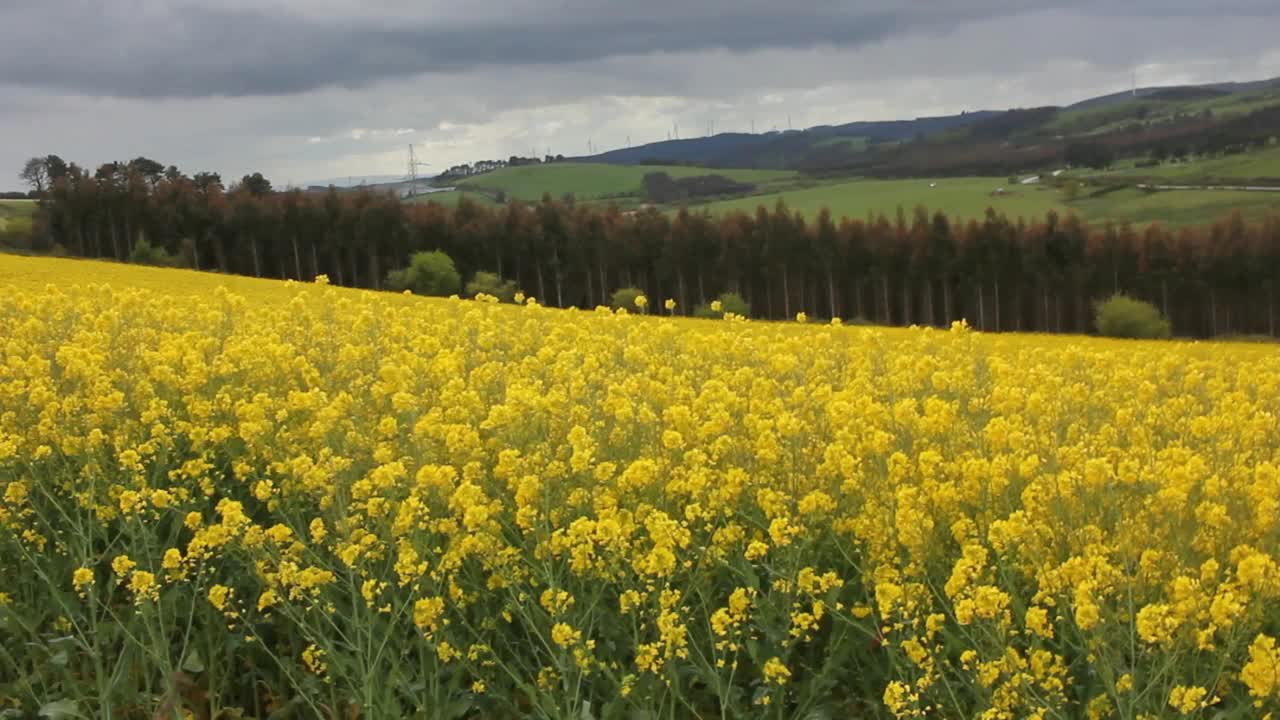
x=988, y=143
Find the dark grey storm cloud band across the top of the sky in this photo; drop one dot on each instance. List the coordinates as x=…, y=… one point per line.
x=156, y=49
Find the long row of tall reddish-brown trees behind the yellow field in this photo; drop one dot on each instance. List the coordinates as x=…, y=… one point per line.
x=1037, y=275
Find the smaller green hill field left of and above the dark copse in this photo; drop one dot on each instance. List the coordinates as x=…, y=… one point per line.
x=595, y=181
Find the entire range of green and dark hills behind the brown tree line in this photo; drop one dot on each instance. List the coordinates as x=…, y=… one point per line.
x=1212, y=135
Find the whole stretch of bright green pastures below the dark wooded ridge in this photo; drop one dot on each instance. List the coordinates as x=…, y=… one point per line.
x=959, y=198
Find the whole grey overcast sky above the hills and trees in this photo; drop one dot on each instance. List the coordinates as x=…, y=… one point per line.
x=305, y=90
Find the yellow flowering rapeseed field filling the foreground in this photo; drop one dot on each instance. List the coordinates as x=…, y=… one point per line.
x=244, y=499
